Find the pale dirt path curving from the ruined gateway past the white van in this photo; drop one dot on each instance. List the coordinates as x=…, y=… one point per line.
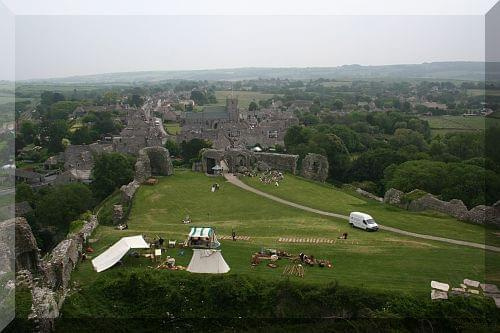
x=235, y=181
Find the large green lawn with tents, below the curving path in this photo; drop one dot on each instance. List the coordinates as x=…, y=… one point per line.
x=378, y=261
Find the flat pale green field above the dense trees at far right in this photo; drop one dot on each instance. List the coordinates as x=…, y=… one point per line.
x=445, y=124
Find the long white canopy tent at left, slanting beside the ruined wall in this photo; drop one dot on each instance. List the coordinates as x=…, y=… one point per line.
x=112, y=255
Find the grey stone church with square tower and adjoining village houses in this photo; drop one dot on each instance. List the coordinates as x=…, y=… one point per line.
x=229, y=127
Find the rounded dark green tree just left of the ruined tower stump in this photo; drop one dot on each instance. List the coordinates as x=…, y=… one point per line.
x=110, y=171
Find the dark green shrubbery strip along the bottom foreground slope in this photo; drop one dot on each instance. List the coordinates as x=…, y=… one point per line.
x=177, y=296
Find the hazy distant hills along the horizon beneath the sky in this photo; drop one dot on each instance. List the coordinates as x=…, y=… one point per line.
x=458, y=70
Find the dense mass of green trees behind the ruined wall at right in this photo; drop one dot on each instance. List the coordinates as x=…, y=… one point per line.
x=394, y=149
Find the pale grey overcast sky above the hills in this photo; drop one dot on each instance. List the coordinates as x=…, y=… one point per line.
x=62, y=45
